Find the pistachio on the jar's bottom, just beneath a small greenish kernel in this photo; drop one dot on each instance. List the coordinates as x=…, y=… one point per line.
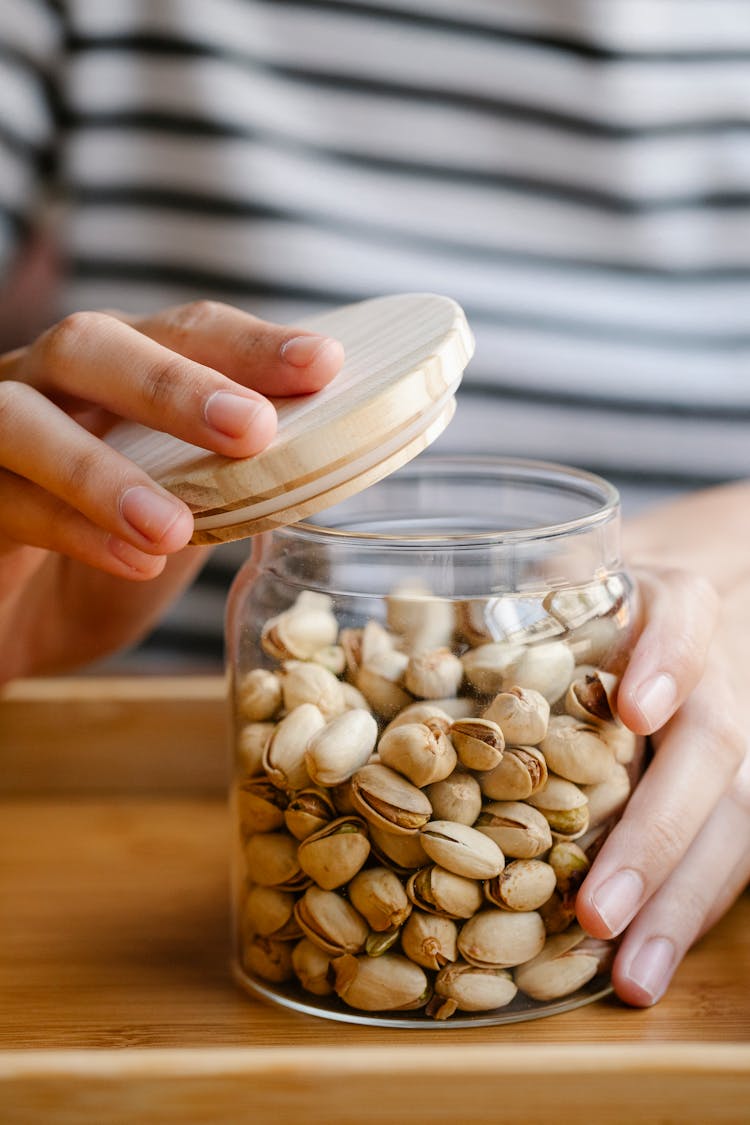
x=387, y=984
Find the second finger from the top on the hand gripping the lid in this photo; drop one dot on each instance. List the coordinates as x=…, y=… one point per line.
x=98, y=359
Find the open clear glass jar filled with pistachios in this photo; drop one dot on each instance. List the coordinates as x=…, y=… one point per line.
x=427, y=753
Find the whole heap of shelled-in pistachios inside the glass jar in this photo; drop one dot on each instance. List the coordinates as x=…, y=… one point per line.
x=419, y=802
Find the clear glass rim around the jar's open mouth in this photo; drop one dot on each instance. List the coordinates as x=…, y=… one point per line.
x=603, y=496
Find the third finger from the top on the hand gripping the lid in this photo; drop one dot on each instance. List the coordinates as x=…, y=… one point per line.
x=42, y=444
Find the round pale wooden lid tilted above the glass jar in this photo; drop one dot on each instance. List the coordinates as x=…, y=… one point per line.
x=405, y=356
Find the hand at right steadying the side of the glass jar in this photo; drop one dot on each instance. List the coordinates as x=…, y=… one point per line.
x=681, y=854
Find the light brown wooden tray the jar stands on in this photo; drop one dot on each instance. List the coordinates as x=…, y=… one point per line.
x=116, y=1002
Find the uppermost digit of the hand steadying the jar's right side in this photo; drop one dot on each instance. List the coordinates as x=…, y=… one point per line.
x=681, y=611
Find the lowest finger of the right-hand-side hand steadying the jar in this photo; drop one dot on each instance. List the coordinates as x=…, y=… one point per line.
x=713, y=874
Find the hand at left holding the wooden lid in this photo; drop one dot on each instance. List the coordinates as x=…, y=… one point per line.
x=71, y=507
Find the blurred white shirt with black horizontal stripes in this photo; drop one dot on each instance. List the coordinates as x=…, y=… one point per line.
x=575, y=173
